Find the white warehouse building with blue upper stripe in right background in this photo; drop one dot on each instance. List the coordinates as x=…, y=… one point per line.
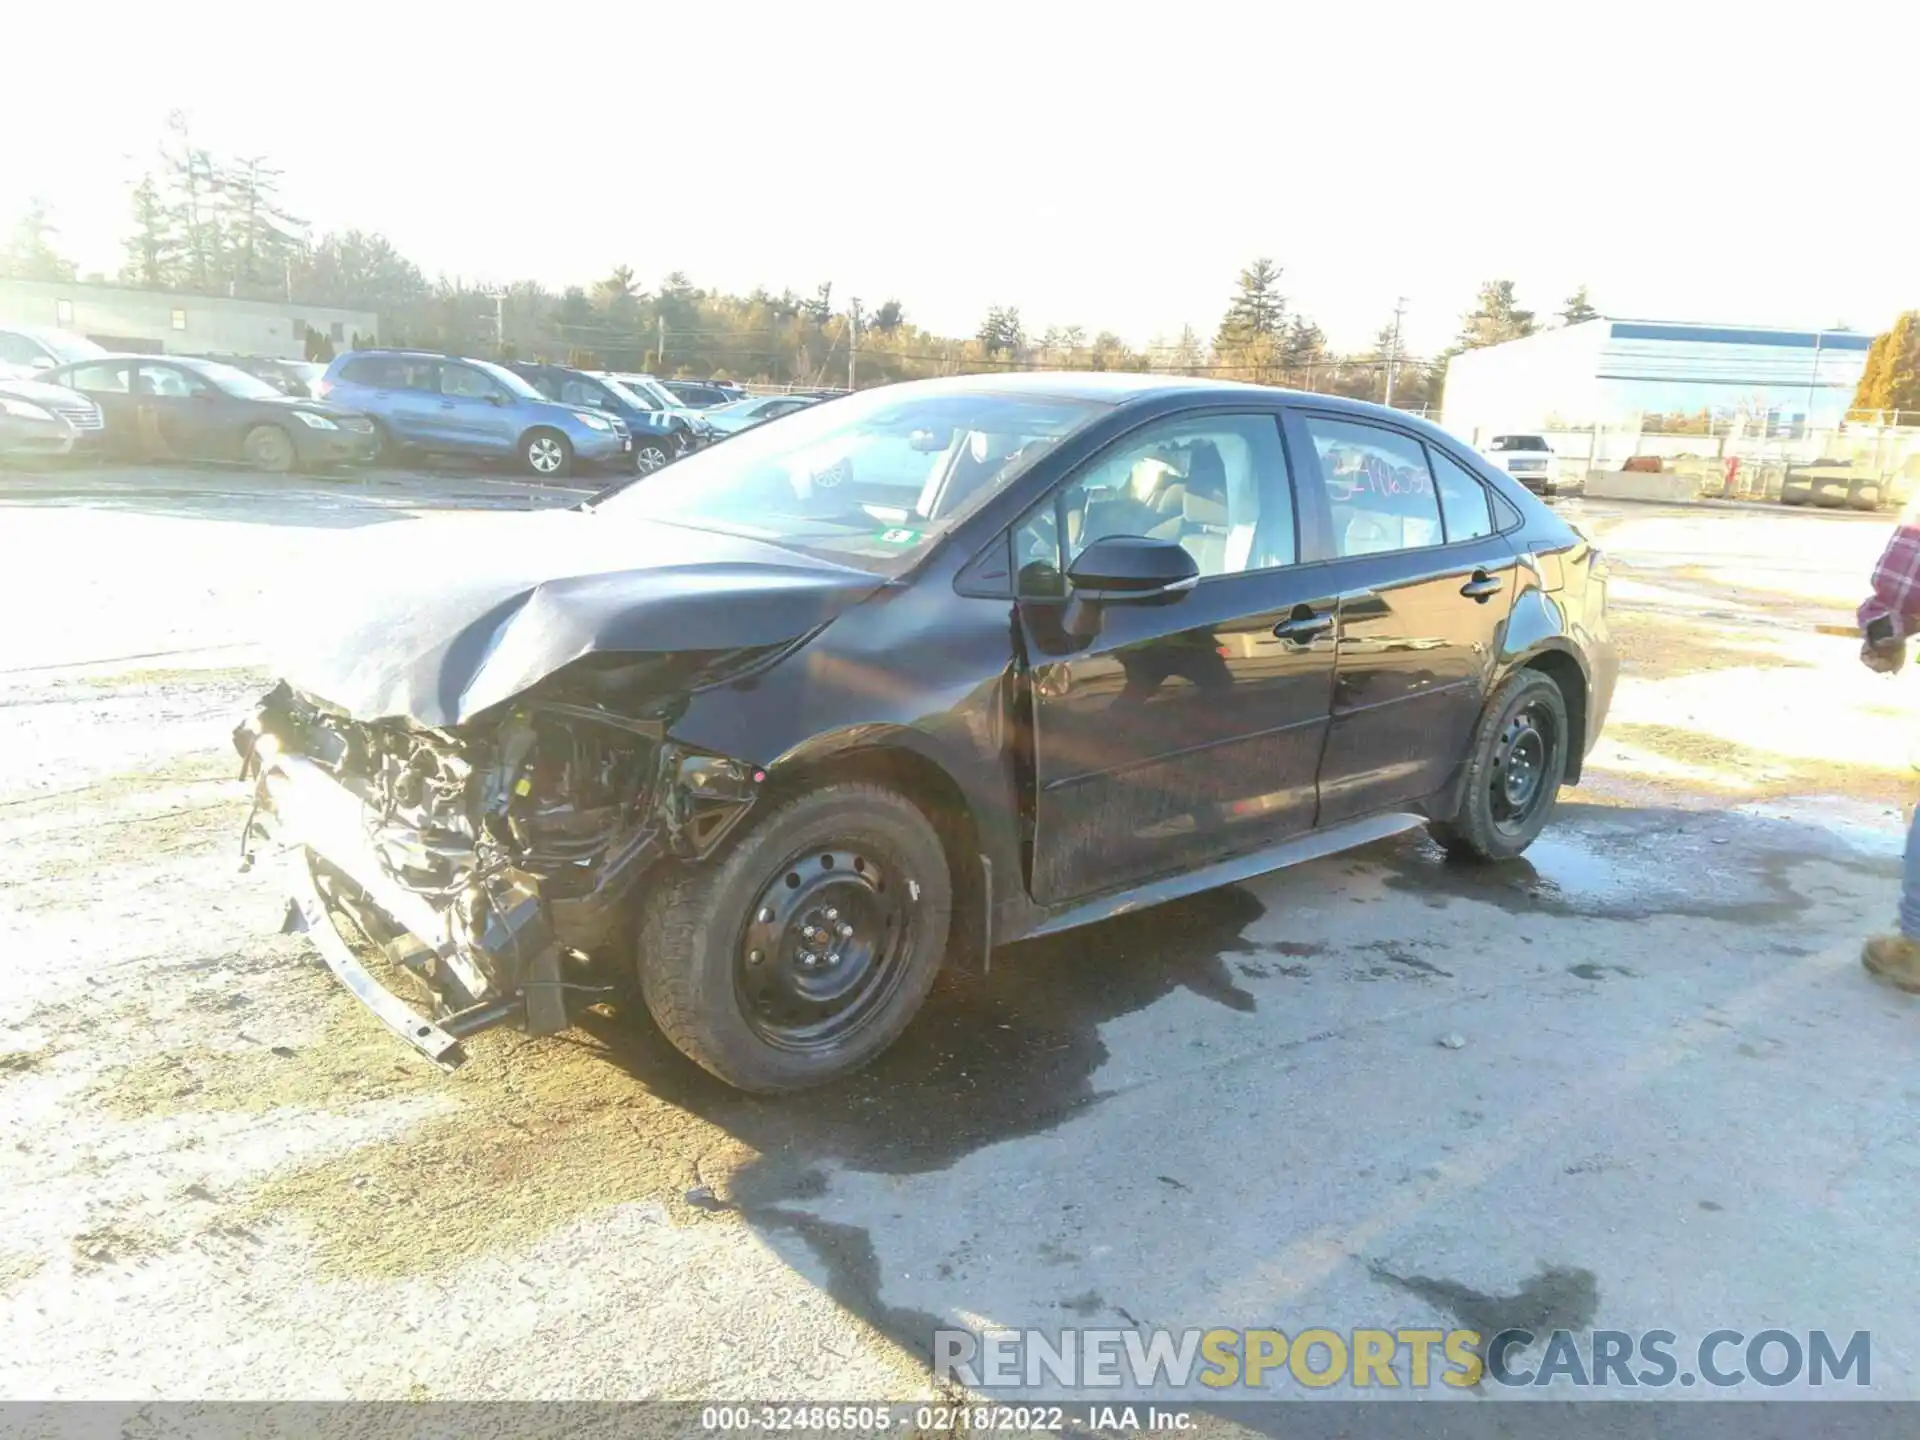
x=1633, y=375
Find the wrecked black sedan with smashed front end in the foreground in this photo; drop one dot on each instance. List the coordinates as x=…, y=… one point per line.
x=905, y=679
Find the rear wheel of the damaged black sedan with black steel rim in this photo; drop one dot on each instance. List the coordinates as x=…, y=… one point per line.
x=1512, y=782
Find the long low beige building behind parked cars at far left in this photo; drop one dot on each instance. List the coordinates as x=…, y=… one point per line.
x=122, y=318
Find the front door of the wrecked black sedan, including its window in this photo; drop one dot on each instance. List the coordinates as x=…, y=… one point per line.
x=1188, y=731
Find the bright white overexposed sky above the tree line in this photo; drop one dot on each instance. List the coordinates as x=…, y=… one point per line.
x=1109, y=166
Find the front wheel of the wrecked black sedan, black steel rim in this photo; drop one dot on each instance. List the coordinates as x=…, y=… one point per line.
x=769, y=1024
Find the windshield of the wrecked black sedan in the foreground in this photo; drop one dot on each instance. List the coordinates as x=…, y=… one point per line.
x=873, y=481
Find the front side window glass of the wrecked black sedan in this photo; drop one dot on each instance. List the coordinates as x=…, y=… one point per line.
x=1216, y=485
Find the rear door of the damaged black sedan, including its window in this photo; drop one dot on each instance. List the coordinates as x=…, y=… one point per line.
x=1426, y=587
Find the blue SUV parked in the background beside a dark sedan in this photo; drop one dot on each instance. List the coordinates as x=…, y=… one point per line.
x=456, y=406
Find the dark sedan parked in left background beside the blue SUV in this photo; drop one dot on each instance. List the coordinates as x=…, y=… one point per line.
x=181, y=408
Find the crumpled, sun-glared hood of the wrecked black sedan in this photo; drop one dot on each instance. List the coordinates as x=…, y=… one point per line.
x=441, y=619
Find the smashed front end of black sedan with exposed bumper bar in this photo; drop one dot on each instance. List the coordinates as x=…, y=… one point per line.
x=496, y=863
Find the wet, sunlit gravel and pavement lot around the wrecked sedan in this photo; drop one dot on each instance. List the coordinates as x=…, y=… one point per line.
x=1677, y=1101
